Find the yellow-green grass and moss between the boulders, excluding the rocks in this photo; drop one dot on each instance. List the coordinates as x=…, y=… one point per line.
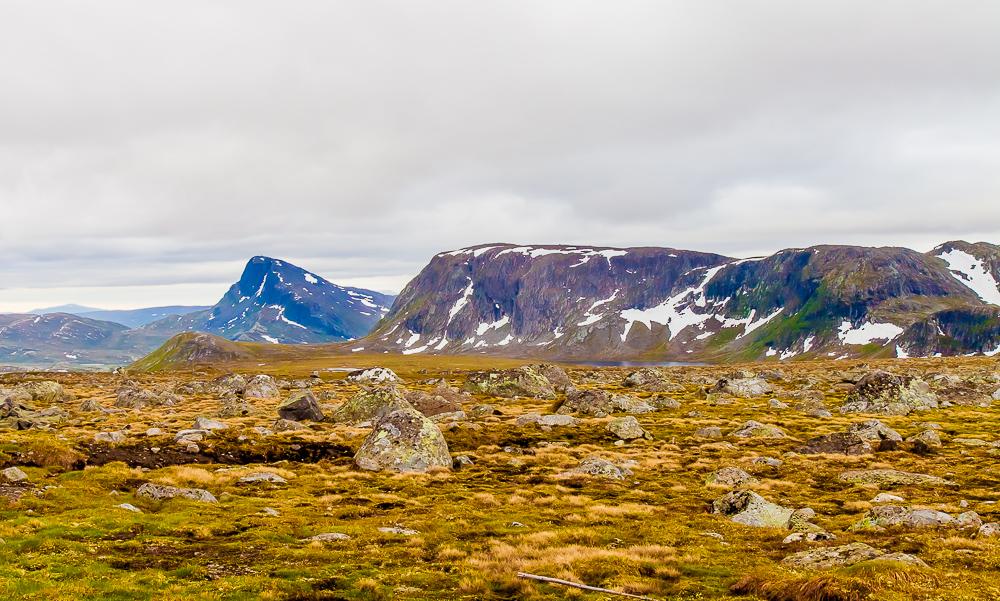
x=63, y=536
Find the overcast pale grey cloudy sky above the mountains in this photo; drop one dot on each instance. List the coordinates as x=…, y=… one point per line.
x=147, y=150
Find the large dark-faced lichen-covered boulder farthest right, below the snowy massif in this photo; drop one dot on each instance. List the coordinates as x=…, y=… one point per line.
x=889, y=394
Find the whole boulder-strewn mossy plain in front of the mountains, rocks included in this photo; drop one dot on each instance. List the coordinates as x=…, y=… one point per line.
x=442, y=478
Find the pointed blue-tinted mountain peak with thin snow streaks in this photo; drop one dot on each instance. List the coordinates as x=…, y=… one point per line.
x=277, y=302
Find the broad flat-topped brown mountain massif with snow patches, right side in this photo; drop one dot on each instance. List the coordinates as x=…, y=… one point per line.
x=666, y=304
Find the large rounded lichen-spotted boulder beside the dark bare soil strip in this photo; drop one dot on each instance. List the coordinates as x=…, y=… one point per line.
x=404, y=441
